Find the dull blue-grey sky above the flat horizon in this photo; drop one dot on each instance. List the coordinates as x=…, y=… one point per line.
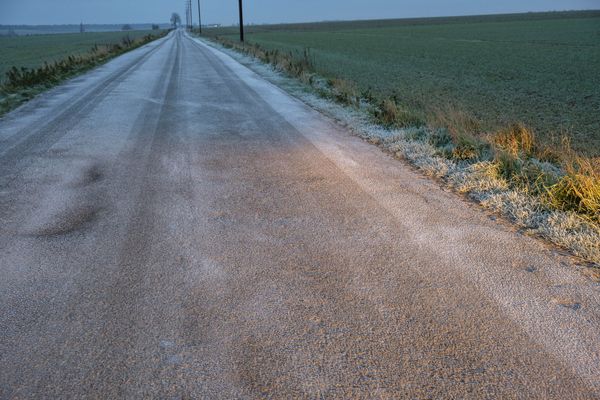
x=263, y=11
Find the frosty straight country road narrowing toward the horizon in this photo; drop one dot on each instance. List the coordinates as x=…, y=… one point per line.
x=174, y=226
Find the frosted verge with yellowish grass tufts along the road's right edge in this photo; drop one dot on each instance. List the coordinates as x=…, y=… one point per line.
x=505, y=172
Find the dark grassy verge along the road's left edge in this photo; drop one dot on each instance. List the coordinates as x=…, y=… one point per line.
x=22, y=84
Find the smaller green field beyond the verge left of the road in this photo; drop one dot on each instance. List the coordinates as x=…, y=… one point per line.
x=32, y=51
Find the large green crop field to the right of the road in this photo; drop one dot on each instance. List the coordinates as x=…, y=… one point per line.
x=539, y=69
